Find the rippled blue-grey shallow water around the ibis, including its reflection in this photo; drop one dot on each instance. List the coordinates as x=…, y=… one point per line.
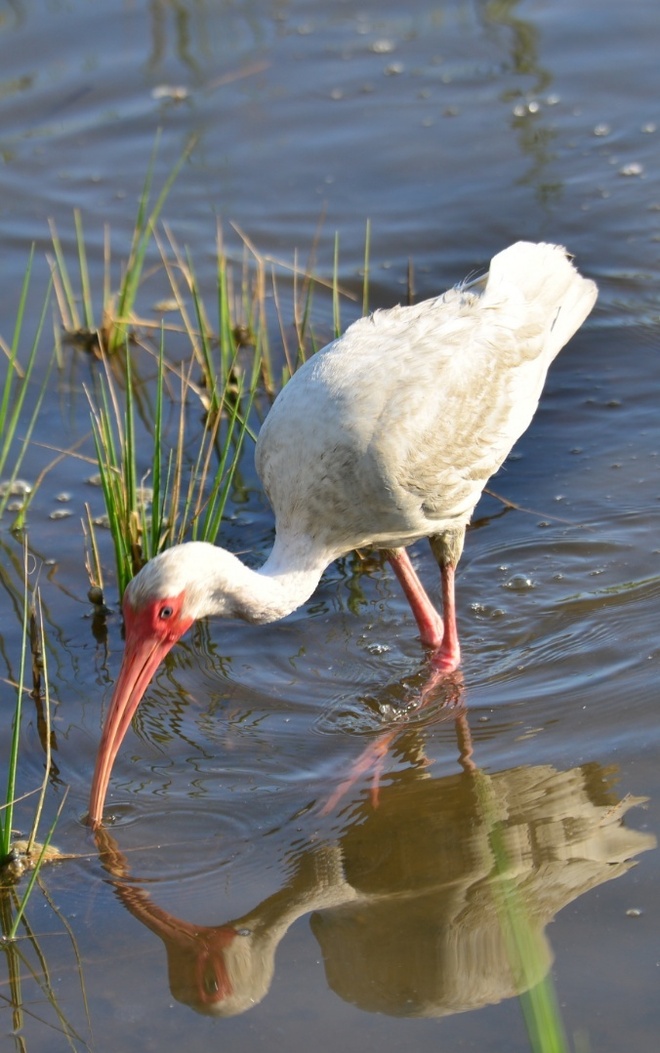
x=456, y=129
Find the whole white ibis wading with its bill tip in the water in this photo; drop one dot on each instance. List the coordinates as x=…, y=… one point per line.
x=386, y=436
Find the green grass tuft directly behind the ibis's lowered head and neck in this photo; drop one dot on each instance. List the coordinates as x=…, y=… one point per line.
x=174, y=496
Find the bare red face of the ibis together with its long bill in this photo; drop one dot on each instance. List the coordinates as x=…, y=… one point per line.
x=151, y=632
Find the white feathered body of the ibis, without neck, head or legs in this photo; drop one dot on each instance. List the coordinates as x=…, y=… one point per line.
x=391, y=432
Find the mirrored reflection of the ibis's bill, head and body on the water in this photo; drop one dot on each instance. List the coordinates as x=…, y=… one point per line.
x=405, y=904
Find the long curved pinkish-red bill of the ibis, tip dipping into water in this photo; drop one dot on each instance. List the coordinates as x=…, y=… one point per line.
x=143, y=658
